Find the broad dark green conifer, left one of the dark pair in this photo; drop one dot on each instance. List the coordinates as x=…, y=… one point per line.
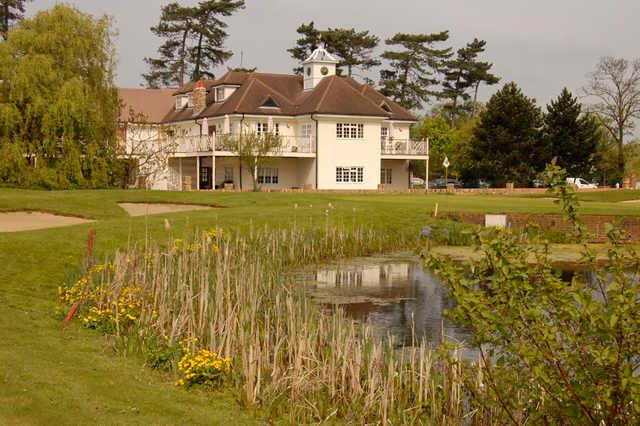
x=506, y=142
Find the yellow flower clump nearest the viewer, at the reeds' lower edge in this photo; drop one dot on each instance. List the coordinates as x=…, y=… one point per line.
x=202, y=367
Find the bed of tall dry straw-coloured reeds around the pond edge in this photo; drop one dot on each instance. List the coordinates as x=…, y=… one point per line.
x=231, y=295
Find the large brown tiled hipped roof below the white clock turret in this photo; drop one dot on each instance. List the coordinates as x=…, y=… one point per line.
x=333, y=95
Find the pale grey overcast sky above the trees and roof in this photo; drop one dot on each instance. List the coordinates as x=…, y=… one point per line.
x=542, y=45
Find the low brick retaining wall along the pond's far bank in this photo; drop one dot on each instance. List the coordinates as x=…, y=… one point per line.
x=556, y=223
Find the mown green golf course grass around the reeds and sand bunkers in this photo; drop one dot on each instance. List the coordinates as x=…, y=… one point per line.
x=53, y=375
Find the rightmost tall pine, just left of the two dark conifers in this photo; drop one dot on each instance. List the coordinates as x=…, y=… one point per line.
x=466, y=72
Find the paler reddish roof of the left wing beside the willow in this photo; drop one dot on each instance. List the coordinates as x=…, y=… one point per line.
x=152, y=103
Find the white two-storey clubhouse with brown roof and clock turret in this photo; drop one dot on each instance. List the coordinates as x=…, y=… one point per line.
x=337, y=134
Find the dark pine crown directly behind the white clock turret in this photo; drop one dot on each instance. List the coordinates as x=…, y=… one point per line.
x=354, y=49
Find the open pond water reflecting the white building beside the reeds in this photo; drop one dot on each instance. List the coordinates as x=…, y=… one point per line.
x=395, y=293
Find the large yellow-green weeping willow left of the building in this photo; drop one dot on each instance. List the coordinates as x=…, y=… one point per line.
x=58, y=103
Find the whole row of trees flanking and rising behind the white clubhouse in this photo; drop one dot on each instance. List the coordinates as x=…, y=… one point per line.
x=59, y=107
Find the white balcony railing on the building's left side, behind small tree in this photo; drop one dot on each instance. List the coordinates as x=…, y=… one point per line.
x=194, y=144
